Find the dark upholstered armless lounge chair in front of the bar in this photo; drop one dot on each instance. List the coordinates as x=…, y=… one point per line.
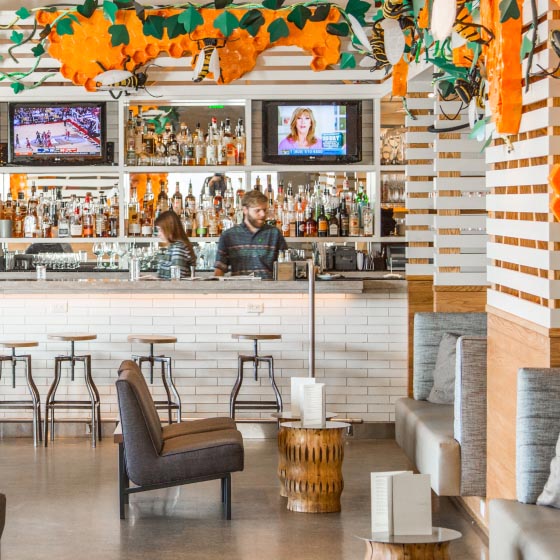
x=158, y=457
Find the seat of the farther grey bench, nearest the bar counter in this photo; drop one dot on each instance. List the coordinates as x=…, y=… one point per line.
x=425, y=433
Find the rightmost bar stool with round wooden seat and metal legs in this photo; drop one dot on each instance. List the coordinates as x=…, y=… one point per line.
x=256, y=359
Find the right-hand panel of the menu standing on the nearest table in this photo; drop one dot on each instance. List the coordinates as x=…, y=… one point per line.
x=412, y=505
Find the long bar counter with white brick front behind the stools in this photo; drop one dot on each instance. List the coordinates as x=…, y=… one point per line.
x=360, y=336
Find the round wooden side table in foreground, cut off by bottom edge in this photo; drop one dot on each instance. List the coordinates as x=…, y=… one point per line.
x=381, y=546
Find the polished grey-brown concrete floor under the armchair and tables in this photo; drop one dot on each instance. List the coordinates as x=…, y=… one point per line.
x=63, y=504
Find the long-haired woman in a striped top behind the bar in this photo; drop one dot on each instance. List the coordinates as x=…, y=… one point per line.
x=180, y=251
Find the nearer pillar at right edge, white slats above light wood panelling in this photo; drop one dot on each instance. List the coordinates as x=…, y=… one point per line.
x=524, y=238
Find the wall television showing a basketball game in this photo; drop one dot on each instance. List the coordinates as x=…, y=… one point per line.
x=57, y=133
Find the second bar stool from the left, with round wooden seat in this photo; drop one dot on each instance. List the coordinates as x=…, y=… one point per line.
x=94, y=402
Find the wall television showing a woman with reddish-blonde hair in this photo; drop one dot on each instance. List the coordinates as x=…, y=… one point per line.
x=312, y=132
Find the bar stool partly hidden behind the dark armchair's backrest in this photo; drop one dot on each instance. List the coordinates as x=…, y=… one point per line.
x=166, y=373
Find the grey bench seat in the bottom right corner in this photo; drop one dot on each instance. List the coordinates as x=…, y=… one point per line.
x=523, y=531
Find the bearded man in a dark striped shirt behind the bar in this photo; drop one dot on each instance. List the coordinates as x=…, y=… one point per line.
x=251, y=247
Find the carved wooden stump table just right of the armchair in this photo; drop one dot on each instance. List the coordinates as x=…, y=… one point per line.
x=313, y=466
